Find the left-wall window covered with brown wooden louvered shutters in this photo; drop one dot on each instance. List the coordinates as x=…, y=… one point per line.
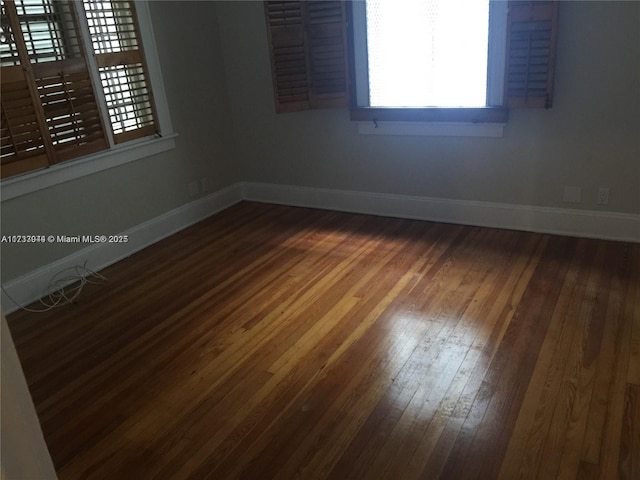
x=74, y=81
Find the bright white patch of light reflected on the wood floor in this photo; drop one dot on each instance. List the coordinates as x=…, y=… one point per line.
x=422, y=348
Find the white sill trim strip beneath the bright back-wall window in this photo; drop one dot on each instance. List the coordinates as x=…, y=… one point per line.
x=435, y=129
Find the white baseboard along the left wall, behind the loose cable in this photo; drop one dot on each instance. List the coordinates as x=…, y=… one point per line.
x=33, y=285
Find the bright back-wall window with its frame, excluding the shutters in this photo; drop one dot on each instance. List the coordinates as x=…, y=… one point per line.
x=429, y=60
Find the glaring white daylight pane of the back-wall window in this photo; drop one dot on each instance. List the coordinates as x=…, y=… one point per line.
x=427, y=53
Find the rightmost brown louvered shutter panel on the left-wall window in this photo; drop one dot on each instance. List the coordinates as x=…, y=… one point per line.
x=117, y=46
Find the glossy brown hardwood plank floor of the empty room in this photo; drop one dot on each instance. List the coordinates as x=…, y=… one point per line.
x=279, y=342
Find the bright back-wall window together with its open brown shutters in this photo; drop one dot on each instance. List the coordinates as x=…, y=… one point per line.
x=510, y=55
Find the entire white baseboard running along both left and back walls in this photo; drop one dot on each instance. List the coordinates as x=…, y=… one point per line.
x=579, y=223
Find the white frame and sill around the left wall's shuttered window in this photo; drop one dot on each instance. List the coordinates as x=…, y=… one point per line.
x=115, y=154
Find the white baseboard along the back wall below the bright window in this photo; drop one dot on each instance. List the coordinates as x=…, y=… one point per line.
x=559, y=221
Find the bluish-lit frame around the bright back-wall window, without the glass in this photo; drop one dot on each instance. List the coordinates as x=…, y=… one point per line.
x=359, y=85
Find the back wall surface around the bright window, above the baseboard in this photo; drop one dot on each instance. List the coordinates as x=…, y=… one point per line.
x=590, y=138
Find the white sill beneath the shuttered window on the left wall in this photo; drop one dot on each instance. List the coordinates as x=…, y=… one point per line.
x=24, y=184
